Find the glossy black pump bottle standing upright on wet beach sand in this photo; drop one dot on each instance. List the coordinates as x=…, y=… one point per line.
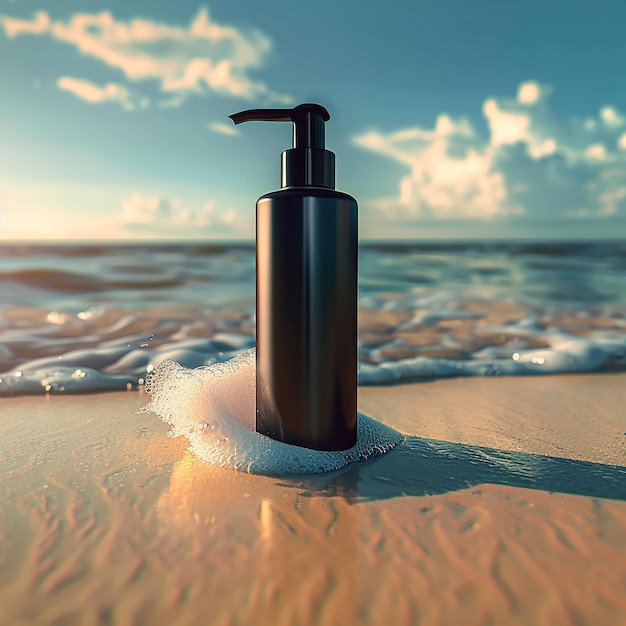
x=306, y=293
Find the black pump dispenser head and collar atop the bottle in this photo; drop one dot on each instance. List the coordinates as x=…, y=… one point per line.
x=308, y=163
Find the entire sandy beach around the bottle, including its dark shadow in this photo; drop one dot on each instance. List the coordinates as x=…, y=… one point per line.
x=506, y=505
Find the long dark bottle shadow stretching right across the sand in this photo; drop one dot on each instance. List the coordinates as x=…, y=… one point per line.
x=419, y=467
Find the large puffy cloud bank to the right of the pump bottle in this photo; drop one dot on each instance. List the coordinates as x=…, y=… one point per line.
x=530, y=164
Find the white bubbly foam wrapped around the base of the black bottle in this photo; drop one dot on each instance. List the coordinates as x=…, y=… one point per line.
x=215, y=407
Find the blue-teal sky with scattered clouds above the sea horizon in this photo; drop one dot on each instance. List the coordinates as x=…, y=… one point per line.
x=449, y=119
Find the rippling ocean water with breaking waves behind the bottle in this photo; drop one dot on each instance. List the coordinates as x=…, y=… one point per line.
x=87, y=318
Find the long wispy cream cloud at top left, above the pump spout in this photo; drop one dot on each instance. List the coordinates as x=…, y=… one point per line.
x=203, y=57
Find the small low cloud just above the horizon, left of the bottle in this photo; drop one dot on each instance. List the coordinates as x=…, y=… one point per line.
x=163, y=214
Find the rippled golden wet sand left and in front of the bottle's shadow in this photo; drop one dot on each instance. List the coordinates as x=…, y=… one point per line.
x=106, y=521
